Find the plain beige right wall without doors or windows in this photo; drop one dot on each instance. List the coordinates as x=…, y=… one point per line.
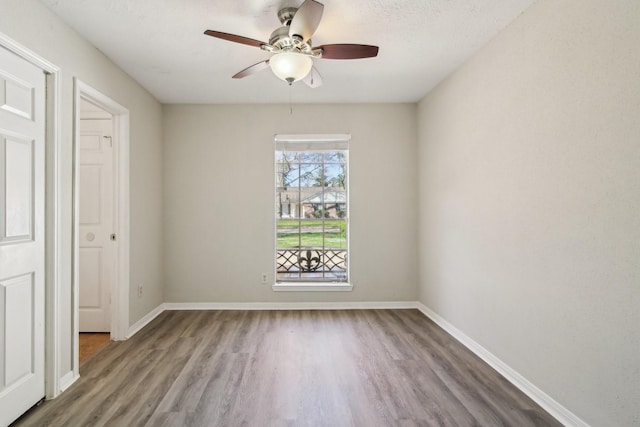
x=529, y=159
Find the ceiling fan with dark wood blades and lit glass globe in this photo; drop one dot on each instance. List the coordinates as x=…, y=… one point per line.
x=292, y=48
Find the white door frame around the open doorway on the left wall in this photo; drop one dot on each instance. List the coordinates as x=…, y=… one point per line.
x=120, y=288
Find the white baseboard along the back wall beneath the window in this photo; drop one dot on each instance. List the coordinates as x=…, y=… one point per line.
x=365, y=305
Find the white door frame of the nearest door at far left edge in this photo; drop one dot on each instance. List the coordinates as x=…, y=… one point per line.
x=53, y=217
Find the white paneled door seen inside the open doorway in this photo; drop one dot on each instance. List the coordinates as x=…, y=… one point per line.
x=97, y=249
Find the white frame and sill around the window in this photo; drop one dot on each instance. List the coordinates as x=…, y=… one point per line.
x=302, y=142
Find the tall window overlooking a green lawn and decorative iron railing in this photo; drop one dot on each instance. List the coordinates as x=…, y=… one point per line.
x=312, y=209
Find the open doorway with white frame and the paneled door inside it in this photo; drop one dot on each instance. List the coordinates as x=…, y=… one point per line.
x=101, y=216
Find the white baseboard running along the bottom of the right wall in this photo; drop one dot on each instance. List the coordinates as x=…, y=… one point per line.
x=547, y=403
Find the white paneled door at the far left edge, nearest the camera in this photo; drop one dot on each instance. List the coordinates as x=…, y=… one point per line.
x=22, y=249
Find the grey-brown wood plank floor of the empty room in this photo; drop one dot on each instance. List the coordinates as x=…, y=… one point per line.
x=289, y=368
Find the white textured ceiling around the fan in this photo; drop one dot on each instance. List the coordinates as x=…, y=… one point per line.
x=160, y=43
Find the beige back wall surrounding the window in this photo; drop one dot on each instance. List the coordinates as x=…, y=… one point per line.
x=219, y=199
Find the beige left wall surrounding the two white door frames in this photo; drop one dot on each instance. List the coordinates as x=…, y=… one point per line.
x=33, y=26
